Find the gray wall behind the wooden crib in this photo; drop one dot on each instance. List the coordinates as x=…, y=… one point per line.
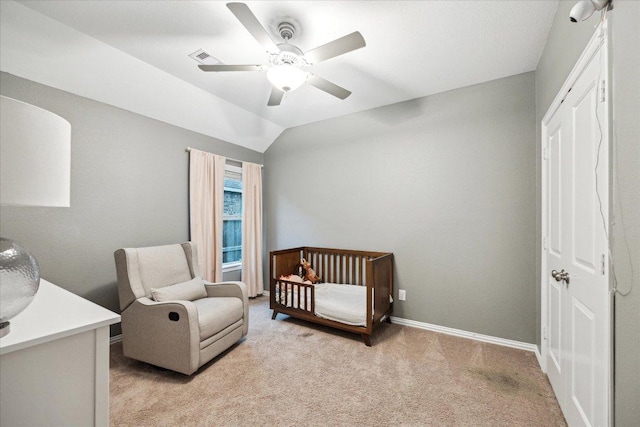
x=446, y=183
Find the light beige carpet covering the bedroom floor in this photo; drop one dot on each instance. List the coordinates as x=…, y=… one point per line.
x=288, y=372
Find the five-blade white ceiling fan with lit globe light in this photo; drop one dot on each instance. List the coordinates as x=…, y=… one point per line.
x=286, y=65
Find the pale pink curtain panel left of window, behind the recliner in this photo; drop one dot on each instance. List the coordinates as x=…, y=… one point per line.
x=206, y=202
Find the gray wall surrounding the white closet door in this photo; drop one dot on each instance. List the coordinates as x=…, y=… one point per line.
x=564, y=45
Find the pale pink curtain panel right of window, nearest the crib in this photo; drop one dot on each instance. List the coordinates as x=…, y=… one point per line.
x=252, y=228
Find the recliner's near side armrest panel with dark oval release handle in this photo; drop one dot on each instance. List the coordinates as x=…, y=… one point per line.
x=150, y=335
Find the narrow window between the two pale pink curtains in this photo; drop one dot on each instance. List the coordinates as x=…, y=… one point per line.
x=232, y=218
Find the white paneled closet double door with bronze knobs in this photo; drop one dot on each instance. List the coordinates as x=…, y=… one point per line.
x=577, y=210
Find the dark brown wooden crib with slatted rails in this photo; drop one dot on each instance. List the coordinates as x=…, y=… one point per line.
x=374, y=270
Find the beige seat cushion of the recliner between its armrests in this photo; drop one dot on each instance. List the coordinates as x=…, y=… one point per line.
x=215, y=314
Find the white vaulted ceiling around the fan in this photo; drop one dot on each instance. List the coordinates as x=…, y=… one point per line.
x=413, y=49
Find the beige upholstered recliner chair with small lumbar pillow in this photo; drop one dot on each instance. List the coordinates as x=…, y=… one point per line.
x=170, y=317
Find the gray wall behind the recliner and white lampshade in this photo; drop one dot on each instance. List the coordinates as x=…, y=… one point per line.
x=129, y=188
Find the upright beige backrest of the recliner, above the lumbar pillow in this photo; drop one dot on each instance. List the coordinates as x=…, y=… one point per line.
x=140, y=269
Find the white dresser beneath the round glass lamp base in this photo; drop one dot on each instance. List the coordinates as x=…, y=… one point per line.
x=54, y=364
